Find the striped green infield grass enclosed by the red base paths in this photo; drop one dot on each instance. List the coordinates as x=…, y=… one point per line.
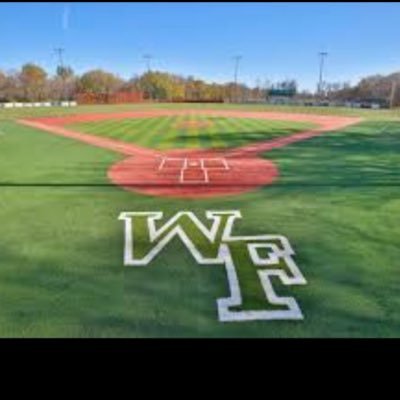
x=174, y=132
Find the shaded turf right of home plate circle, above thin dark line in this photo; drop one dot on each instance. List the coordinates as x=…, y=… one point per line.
x=361, y=156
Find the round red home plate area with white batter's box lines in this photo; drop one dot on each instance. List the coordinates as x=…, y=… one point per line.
x=193, y=176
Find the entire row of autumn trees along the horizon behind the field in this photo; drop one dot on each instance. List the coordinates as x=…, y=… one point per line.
x=33, y=83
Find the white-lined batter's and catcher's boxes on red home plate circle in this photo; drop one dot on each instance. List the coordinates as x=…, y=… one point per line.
x=193, y=170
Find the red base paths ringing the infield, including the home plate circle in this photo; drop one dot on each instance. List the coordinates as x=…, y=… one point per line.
x=192, y=173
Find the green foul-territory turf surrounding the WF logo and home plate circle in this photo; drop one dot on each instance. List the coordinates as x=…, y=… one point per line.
x=61, y=271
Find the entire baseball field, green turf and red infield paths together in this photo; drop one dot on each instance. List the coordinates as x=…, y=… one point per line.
x=326, y=179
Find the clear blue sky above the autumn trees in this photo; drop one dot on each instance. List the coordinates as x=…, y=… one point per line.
x=276, y=40
